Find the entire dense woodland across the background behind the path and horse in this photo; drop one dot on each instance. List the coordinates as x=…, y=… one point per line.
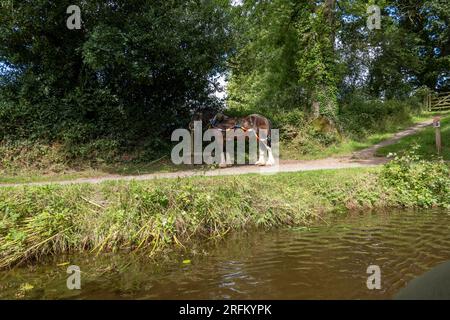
x=137, y=70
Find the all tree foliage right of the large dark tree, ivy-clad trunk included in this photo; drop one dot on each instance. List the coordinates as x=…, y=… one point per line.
x=291, y=55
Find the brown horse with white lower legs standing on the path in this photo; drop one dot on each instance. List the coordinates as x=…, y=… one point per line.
x=255, y=124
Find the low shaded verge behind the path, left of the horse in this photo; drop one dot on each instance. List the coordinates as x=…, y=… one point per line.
x=23, y=162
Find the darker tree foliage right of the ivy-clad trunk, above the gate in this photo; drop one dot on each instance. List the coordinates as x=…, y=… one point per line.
x=410, y=50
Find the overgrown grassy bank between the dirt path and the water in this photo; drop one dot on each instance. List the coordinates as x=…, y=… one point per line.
x=159, y=215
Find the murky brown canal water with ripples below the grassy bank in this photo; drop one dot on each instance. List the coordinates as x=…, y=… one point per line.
x=326, y=261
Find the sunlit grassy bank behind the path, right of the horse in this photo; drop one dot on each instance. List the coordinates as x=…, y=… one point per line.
x=360, y=124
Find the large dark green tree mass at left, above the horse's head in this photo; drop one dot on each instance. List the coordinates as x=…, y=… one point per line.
x=132, y=74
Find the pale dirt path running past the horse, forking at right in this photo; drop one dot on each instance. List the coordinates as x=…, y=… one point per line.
x=363, y=158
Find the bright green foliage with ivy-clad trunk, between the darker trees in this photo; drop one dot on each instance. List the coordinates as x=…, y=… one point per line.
x=284, y=57
